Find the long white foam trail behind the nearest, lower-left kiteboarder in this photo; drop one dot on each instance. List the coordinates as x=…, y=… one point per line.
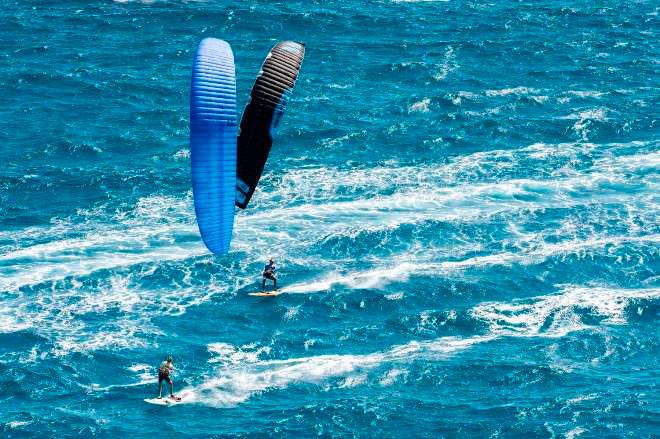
x=239, y=380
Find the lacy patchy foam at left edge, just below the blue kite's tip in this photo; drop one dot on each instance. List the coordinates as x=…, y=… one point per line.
x=62, y=313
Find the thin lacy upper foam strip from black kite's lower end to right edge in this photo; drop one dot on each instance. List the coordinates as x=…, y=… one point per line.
x=542, y=160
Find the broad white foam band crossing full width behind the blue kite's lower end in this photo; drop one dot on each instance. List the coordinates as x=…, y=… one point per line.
x=162, y=229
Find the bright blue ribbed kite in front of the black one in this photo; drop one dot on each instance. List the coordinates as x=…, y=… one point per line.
x=213, y=129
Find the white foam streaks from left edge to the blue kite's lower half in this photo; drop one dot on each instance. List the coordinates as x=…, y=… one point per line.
x=137, y=238
